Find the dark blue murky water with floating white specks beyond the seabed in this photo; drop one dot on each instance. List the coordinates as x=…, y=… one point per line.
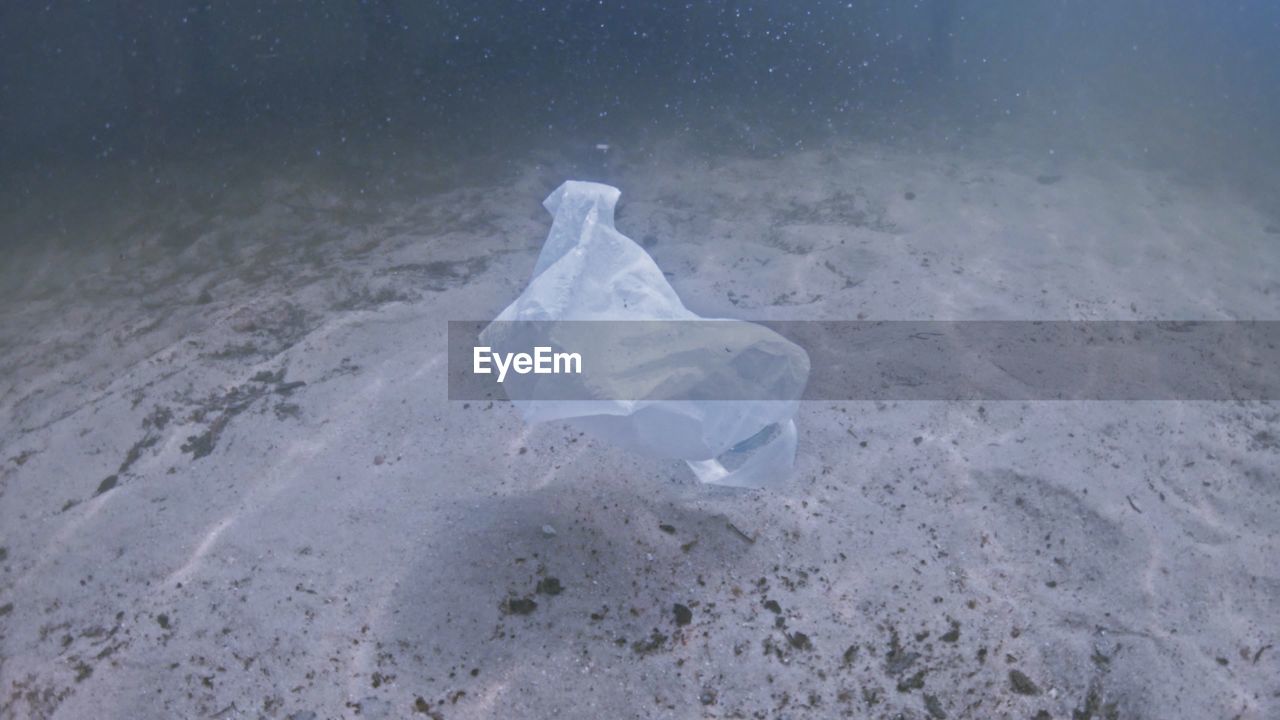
x=89, y=85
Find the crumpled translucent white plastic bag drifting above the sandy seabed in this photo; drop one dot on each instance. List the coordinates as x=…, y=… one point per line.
x=720, y=397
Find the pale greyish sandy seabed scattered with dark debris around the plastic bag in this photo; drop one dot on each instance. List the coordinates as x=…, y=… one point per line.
x=232, y=485
